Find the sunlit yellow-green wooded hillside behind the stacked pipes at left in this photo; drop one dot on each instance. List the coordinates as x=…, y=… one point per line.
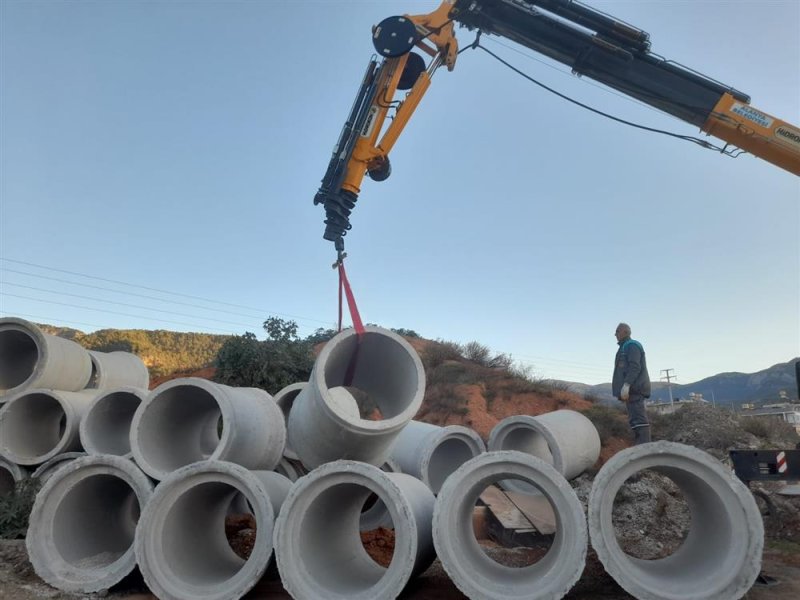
x=164, y=352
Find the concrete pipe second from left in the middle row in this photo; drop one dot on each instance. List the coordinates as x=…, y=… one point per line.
x=106, y=426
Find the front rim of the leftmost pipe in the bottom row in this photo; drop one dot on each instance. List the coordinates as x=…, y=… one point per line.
x=57, y=571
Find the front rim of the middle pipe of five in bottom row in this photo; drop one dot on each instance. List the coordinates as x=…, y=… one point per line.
x=292, y=564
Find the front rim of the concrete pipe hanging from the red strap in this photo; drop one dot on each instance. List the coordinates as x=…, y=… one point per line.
x=320, y=383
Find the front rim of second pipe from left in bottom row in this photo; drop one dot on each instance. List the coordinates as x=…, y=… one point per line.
x=149, y=549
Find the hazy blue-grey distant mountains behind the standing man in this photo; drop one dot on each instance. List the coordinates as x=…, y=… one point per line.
x=735, y=389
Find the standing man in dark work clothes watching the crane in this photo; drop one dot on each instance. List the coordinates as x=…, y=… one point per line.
x=631, y=382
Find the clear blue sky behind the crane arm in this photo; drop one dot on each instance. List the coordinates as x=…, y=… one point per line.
x=178, y=146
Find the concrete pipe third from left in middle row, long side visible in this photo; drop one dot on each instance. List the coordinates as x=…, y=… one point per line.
x=188, y=420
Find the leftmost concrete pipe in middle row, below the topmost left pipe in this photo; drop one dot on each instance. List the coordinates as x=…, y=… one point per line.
x=36, y=425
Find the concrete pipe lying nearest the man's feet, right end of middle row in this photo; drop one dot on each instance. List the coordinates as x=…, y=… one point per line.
x=565, y=439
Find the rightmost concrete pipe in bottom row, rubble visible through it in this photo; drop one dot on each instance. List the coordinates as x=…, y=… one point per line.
x=721, y=555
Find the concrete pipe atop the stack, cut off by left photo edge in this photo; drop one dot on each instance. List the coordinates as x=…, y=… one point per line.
x=30, y=358
